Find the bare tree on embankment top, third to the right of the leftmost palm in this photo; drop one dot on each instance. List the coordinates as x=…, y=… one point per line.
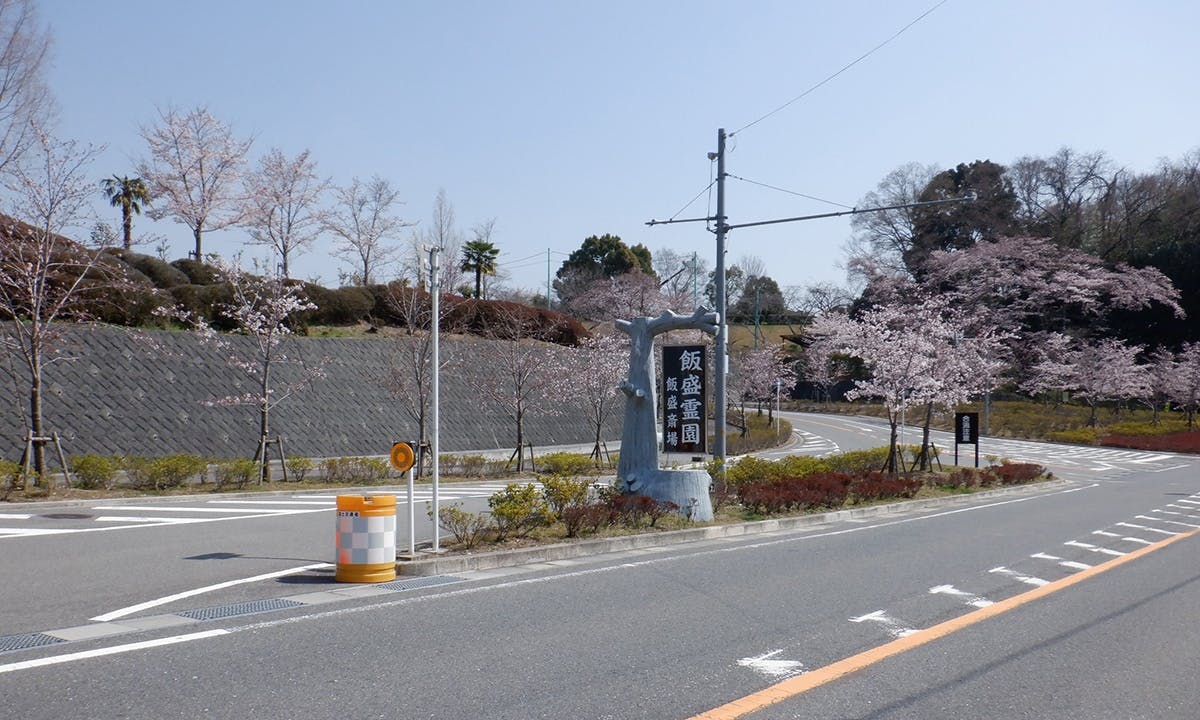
x=365, y=225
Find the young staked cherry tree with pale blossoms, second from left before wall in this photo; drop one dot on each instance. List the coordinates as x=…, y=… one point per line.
x=260, y=310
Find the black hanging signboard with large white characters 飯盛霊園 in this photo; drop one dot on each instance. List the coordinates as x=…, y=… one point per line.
x=683, y=399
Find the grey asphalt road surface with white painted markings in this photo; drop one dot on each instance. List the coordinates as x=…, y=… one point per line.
x=665, y=633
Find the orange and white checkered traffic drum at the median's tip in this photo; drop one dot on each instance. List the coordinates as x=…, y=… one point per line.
x=367, y=538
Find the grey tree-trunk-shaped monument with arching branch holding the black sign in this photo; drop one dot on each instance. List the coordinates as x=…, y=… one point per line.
x=639, y=466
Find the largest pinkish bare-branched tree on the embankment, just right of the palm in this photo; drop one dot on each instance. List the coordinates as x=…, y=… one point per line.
x=195, y=171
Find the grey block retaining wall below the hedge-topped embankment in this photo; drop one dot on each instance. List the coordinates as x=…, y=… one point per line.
x=115, y=391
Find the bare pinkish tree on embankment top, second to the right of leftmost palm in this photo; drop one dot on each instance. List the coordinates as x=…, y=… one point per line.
x=283, y=205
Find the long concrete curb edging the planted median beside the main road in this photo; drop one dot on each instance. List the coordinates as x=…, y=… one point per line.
x=566, y=551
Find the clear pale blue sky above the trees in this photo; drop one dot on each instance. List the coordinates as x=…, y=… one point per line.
x=562, y=121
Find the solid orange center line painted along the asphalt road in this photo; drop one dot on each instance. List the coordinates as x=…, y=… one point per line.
x=803, y=683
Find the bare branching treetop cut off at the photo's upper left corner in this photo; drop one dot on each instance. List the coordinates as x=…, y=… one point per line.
x=26, y=103
